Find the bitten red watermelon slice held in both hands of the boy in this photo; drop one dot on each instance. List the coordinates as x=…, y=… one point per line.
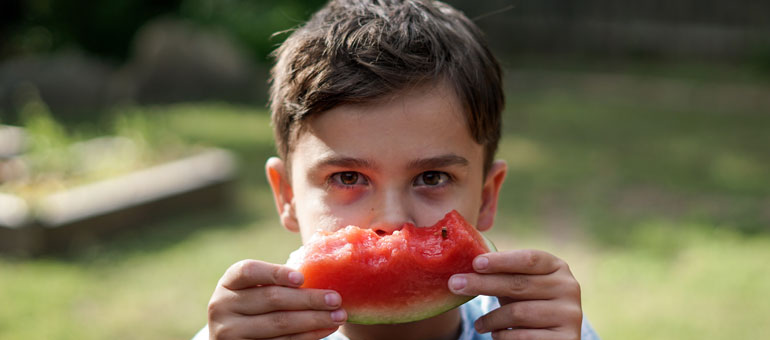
x=395, y=278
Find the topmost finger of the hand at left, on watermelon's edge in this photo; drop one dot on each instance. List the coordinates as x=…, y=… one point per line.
x=252, y=273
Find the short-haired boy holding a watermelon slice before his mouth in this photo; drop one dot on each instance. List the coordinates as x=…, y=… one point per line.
x=388, y=112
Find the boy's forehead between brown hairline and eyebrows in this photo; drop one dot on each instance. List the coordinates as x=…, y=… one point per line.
x=428, y=118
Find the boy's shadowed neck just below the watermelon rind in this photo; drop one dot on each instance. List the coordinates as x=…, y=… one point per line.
x=444, y=326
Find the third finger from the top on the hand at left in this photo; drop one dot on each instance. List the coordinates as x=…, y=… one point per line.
x=284, y=323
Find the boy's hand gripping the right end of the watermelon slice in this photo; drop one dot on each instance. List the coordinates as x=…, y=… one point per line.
x=539, y=297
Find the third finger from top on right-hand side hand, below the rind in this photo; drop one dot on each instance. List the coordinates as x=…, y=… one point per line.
x=529, y=314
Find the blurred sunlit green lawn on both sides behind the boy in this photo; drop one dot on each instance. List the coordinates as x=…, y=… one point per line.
x=656, y=190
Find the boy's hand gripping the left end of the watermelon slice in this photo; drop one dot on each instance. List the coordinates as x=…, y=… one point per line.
x=259, y=300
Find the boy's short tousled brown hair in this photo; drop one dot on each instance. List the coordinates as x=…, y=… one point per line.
x=353, y=51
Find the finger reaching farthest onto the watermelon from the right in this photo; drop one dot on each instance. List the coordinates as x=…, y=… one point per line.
x=515, y=286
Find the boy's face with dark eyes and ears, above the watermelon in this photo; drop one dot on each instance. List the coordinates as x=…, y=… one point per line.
x=404, y=158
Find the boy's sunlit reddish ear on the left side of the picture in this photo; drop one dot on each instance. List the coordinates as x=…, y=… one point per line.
x=283, y=195
